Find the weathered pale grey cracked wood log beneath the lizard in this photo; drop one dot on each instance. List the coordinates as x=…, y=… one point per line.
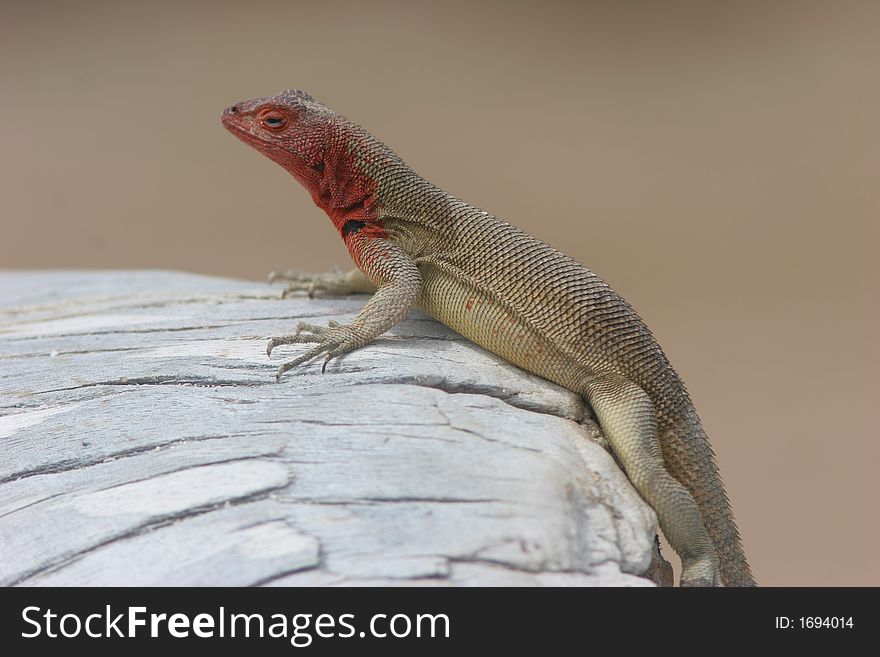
x=145, y=442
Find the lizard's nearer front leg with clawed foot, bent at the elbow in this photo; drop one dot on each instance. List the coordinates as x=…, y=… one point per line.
x=398, y=283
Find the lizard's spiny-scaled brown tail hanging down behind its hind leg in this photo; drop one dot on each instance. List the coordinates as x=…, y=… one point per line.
x=689, y=458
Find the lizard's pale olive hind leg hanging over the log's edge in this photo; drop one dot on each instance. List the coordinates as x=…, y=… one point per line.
x=626, y=415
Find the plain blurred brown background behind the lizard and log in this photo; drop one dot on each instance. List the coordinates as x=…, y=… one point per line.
x=716, y=162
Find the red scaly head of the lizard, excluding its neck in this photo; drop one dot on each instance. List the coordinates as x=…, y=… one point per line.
x=292, y=129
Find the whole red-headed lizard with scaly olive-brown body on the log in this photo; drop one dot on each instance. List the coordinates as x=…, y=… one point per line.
x=416, y=245
